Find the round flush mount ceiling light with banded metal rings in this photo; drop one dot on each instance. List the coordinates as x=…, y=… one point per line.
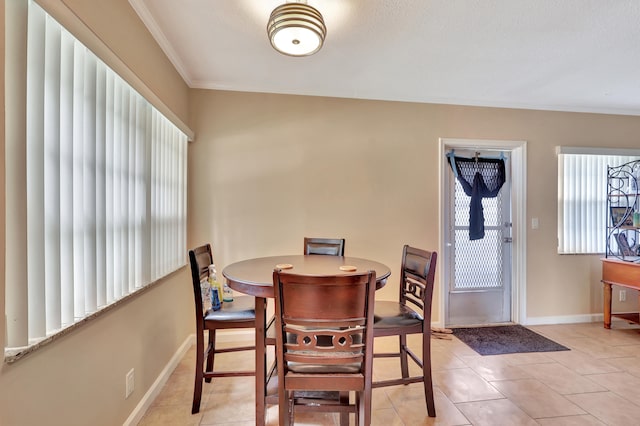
x=296, y=29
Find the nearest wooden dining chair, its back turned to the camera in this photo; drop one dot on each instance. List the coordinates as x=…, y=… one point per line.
x=324, y=342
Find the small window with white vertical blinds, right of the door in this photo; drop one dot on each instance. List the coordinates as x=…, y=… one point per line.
x=582, y=188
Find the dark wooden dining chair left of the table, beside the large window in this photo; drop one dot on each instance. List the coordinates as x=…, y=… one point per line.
x=237, y=314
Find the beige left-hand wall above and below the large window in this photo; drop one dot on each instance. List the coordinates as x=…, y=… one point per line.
x=79, y=379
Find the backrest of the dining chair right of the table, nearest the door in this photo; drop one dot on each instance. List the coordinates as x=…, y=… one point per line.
x=417, y=276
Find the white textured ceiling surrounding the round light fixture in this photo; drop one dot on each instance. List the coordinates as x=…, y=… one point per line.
x=567, y=55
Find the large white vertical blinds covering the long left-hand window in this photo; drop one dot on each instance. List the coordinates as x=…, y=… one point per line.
x=106, y=185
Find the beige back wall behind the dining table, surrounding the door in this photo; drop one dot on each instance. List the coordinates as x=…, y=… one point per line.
x=271, y=169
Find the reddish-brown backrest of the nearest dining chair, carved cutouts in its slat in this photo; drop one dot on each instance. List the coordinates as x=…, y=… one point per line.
x=326, y=321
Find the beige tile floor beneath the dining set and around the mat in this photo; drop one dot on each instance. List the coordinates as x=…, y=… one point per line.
x=596, y=383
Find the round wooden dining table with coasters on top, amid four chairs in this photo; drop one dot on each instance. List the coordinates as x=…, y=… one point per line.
x=255, y=277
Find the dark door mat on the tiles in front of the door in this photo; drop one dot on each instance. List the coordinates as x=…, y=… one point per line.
x=505, y=339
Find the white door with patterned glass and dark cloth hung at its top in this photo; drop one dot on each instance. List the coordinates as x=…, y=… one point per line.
x=478, y=289
